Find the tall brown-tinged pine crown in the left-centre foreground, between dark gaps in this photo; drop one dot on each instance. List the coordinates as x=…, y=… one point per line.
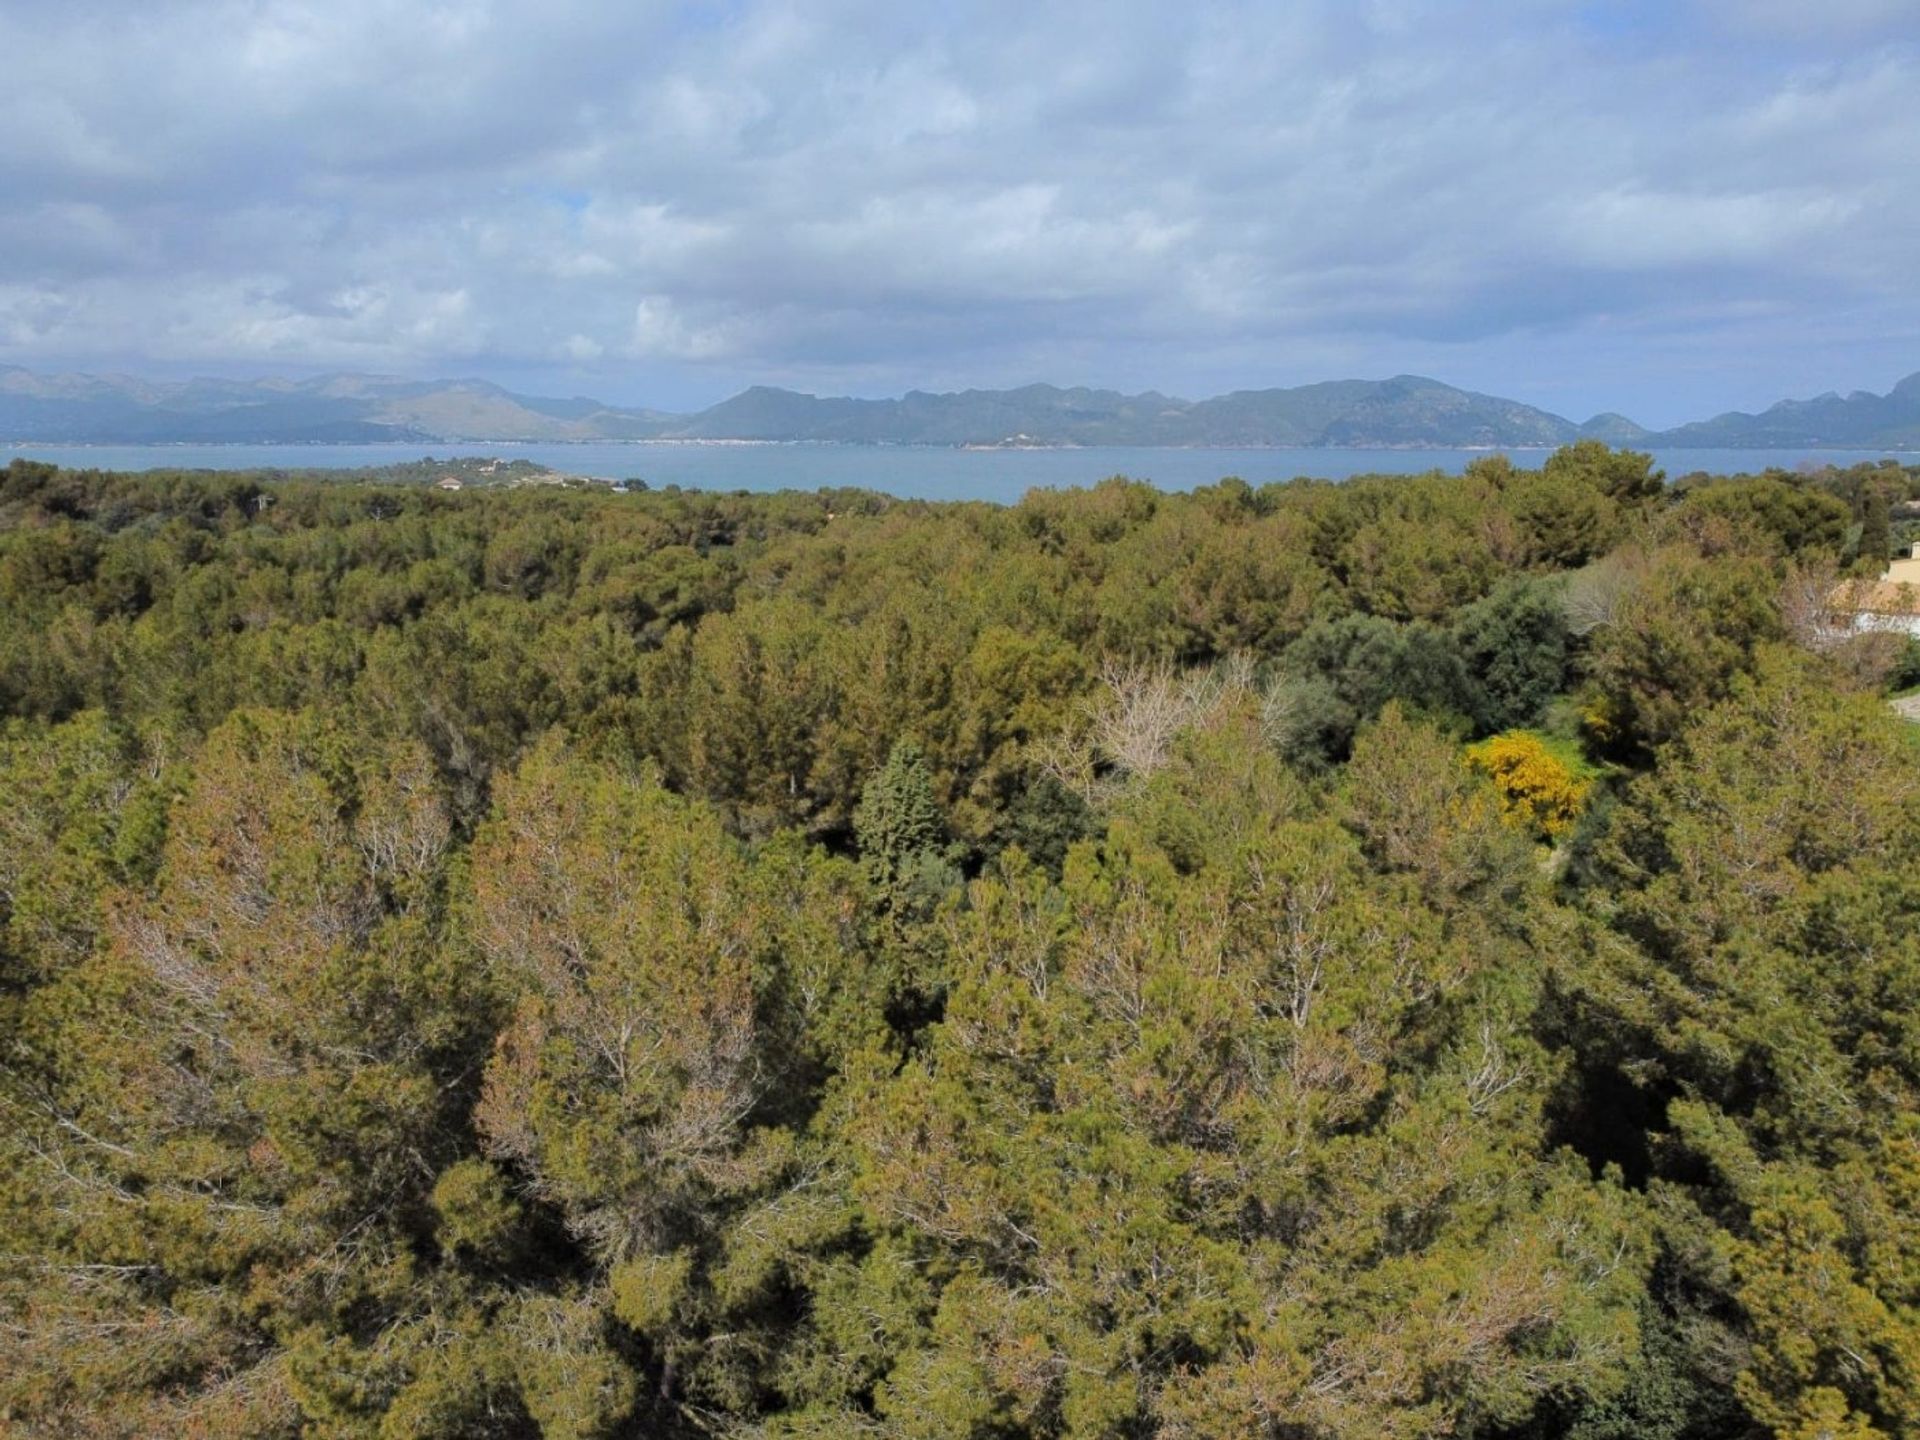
x=613, y=913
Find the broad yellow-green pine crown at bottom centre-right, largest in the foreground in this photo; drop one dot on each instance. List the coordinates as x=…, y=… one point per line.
x=1155, y=1128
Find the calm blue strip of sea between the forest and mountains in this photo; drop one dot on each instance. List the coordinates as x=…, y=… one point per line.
x=909, y=471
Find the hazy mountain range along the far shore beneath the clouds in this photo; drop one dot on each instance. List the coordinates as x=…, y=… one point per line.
x=1360, y=414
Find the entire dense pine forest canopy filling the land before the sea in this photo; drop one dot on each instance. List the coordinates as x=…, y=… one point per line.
x=1422, y=957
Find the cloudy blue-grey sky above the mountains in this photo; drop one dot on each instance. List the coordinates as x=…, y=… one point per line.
x=1658, y=208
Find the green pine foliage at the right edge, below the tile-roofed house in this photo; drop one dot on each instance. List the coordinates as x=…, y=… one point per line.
x=1762, y=986
